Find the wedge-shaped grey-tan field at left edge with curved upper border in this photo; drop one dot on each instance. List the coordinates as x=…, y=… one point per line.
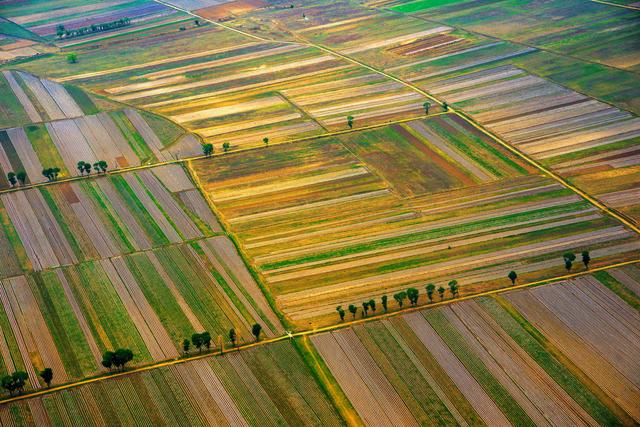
x=66, y=125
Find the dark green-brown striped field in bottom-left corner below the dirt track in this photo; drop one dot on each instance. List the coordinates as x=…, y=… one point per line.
x=270, y=385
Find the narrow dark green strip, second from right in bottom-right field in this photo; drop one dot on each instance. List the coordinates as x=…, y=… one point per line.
x=474, y=365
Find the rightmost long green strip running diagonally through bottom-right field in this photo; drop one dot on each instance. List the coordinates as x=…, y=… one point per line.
x=512, y=323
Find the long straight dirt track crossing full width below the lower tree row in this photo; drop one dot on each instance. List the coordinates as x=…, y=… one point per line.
x=315, y=331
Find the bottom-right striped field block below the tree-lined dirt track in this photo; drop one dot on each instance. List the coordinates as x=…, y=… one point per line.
x=561, y=354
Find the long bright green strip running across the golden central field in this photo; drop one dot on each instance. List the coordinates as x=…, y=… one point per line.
x=431, y=234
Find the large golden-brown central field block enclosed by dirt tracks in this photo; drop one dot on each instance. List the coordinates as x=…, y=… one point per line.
x=326, y=226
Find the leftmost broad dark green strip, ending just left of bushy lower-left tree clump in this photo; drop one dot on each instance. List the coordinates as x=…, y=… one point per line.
x=69, y=339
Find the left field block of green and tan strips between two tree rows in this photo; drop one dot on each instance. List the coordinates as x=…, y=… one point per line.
x=135, y=260
